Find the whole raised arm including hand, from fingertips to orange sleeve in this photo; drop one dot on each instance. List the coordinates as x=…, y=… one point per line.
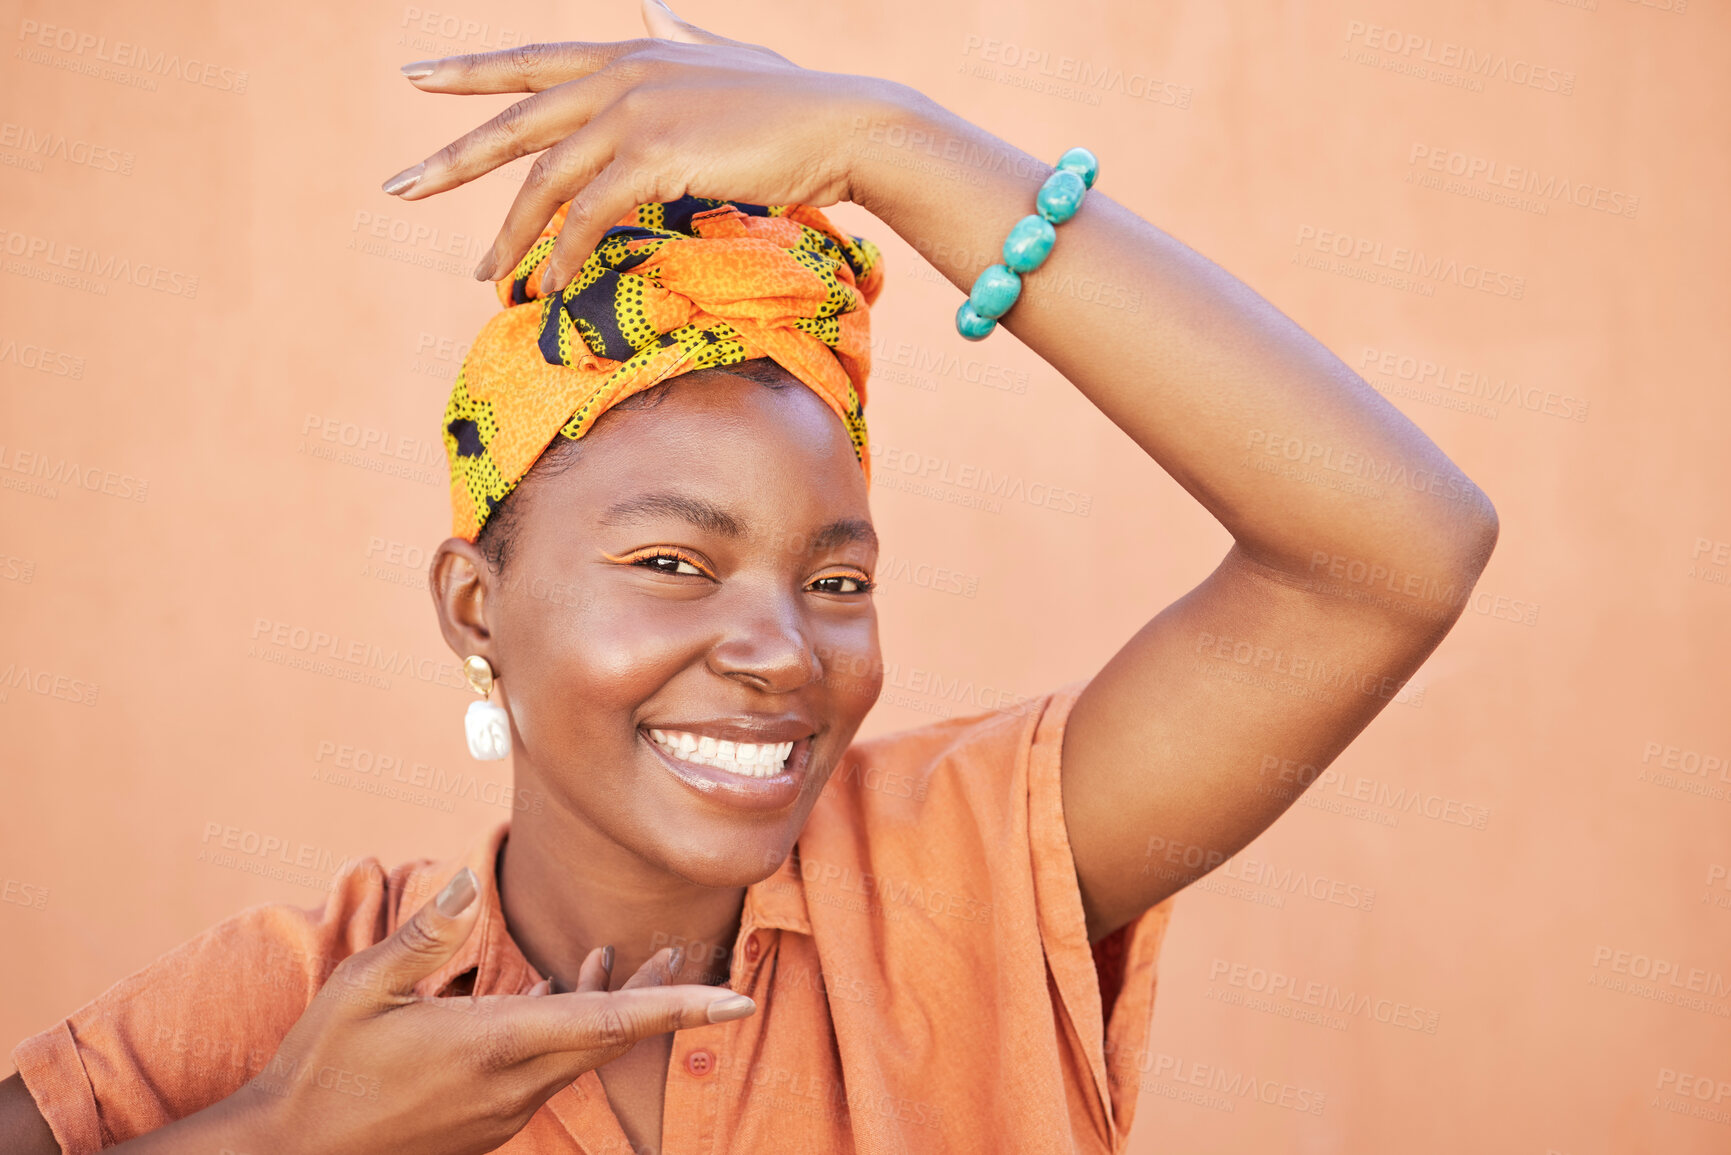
x=1356, y=539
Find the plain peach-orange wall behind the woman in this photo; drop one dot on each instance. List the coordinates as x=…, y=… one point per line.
x=1576, y=719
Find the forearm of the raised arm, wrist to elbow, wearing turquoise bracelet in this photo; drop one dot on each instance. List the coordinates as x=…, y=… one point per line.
x=1273, y=434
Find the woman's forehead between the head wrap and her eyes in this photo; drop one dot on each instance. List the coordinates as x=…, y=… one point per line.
x=723, y=453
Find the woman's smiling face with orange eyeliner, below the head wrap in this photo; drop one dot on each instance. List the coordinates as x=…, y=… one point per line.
x=683, y=631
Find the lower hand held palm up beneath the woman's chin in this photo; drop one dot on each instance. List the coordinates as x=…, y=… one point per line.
x=371, y=1068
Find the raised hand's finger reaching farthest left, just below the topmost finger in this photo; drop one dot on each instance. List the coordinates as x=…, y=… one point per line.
x=529, y=126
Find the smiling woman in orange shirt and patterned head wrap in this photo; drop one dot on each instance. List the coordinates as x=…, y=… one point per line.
x=731, y=927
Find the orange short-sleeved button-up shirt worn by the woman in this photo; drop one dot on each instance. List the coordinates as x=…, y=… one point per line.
x=922, y=972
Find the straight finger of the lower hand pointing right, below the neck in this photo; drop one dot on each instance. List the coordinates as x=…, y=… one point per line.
x=607, y=1023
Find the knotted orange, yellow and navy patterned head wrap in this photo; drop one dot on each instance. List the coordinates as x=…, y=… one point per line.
x=672, y=288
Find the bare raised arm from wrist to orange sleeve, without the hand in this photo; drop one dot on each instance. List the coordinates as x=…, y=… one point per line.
x=1356, y=539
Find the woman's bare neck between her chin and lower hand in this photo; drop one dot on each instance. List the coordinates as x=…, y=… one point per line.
x=569, y=889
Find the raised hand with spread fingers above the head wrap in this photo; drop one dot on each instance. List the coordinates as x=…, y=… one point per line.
x=683, y=113
